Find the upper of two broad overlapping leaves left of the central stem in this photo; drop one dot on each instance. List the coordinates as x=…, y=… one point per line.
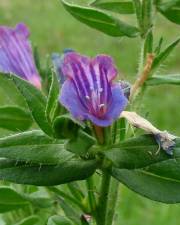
x=35, y=147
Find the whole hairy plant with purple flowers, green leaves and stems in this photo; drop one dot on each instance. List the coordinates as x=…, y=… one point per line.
x=79, y=120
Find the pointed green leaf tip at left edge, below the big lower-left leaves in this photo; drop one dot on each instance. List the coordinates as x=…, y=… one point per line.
x=11, y=200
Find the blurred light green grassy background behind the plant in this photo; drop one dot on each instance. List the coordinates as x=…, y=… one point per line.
x=53, y=29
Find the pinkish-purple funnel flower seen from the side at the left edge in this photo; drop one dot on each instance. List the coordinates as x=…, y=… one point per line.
x=16, y=54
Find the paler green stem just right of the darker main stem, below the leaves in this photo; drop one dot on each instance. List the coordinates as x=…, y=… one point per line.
x=112, y=200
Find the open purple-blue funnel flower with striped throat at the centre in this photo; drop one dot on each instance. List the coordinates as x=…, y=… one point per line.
x=89, y=92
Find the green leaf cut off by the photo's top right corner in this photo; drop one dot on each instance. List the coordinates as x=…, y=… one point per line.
x=171, y=10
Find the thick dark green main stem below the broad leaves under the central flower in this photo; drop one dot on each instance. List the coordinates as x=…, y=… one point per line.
x=103, y=199
